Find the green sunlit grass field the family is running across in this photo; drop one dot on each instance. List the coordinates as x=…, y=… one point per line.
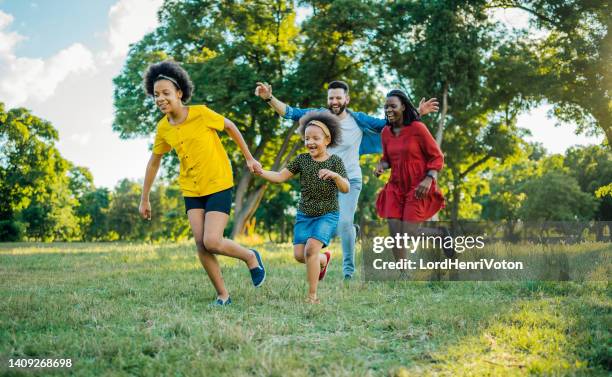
x=139, y=309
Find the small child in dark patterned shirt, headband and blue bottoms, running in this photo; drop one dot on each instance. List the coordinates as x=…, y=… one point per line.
x=321, y=177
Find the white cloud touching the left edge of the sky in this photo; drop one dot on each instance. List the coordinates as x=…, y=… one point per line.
x=24, y=79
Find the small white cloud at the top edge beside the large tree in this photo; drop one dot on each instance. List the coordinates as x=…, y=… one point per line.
x=130, y=20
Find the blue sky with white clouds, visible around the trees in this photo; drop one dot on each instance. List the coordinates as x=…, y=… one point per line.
x=58, y=58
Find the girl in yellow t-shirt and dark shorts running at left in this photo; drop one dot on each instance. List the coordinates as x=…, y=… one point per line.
x=205, y=171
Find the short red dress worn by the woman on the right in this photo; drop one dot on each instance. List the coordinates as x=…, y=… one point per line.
x=411, y=154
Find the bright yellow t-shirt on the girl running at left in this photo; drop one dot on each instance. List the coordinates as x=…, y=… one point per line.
x=205, y=167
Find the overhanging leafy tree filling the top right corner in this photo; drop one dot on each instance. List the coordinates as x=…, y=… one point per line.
x=575, y=59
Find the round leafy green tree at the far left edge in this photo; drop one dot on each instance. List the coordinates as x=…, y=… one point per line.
x=35, y=195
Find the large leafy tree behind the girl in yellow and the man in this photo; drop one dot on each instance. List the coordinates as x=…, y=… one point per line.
x=227, y=47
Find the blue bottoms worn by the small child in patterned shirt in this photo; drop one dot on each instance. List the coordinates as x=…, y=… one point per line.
x=321, y=227
